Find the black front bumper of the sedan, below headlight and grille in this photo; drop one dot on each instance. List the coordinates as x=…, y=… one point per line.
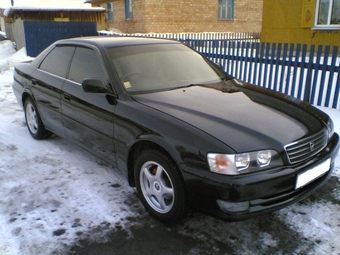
x=245, y=196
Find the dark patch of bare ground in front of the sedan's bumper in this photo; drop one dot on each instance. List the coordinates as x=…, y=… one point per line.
x=200, y=234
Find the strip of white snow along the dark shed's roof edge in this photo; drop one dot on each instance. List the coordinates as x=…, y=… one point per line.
x=9, y=11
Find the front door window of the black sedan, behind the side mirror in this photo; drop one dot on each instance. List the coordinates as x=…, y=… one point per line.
x=86, y=64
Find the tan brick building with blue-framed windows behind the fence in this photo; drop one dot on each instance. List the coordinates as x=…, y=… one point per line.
x=174, y=16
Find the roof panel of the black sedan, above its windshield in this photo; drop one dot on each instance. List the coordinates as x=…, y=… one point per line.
x=112, y=41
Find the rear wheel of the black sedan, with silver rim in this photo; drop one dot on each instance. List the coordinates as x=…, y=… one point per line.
x=34, y=122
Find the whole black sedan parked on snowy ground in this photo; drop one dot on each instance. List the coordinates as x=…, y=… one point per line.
x=183, y=132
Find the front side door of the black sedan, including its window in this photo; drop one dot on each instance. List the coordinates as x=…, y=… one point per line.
x=88, y=117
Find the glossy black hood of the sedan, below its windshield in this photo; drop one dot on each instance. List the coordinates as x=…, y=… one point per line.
x=244, y=117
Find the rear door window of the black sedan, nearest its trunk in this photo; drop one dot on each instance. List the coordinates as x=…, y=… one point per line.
x=58, y=60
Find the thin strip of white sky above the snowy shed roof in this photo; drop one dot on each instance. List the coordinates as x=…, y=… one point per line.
x=75, y=3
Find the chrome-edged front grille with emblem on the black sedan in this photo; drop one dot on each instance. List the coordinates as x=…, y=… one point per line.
x=306, y=148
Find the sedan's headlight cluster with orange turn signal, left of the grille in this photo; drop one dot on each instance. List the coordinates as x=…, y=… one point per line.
x=234, y=164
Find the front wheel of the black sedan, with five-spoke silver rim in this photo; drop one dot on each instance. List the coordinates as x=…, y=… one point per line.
x=160, y=186
